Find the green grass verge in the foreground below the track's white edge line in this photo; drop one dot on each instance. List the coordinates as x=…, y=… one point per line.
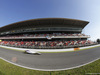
x=10, y=69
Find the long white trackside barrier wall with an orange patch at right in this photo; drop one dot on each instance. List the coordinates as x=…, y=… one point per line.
x=50, y=50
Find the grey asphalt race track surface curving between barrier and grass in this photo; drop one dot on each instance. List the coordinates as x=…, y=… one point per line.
x=51, y=61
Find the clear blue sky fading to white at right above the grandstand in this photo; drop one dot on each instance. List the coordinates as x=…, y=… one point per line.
x=18, y=10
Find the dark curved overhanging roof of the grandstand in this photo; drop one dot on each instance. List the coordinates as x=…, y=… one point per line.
x=45, y=22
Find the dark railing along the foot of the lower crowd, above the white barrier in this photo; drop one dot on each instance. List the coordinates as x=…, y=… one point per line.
x=50, y=47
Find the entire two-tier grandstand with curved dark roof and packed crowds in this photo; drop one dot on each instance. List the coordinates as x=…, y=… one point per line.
x=45, y=33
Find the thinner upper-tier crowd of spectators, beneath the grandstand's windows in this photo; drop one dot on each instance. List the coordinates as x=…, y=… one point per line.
x=42, y=35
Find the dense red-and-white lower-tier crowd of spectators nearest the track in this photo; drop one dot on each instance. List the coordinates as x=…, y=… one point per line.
x=47, y=44
